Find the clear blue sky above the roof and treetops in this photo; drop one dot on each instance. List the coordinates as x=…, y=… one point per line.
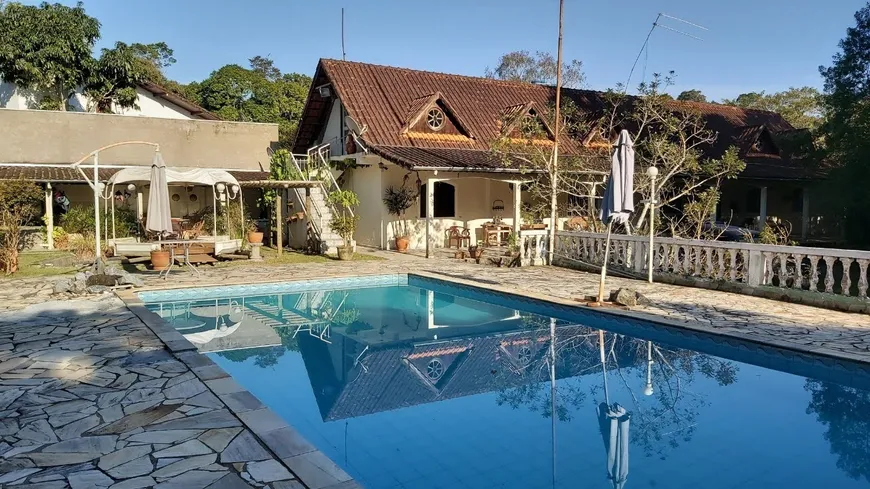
x=751, y=45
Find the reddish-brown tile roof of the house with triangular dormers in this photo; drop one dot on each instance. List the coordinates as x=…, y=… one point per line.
x=384, y=99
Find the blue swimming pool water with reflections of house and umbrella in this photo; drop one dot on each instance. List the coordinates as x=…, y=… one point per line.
x=416, y=383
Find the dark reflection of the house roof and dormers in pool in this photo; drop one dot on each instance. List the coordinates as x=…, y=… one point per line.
x=350, y=379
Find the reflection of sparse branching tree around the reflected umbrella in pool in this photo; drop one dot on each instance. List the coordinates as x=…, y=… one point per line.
x=658, y=426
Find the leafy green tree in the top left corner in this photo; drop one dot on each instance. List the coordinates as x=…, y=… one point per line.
x=47, y=48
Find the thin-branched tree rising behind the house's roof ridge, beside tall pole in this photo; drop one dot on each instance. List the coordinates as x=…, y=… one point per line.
x=536, y=68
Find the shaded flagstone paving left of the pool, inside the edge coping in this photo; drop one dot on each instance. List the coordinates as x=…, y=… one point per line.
x=91, y=398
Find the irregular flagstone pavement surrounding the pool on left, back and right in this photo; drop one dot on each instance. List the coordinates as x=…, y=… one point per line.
x=90, y=397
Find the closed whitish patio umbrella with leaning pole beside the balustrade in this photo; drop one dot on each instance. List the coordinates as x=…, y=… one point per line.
x=618, y=201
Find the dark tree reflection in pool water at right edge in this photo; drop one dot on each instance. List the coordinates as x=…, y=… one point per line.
x=845, y=411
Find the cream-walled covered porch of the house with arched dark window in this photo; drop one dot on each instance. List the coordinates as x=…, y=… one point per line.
x=486, y=205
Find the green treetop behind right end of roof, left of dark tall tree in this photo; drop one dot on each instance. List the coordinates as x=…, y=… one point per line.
x=801, y=107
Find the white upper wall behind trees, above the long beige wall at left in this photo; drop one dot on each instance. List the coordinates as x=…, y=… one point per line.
x=13, y=97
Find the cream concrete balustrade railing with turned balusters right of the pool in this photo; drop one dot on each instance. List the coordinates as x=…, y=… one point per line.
x=829, y=271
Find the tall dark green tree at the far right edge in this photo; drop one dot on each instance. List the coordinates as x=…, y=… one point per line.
x=847, y=128
